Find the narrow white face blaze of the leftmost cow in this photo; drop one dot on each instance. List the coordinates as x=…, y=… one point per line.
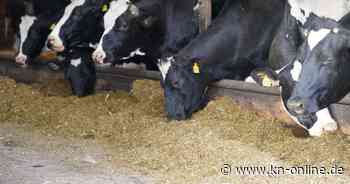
x=26, y=23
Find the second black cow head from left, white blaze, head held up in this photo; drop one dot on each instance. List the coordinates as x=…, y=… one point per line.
x=81, y=25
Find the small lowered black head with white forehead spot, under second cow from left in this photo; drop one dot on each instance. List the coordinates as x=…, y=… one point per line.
x=80, y=71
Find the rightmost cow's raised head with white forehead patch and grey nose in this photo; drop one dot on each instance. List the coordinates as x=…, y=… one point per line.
x=324, y=75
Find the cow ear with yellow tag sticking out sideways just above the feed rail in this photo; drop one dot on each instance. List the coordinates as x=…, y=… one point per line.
x=265, y=77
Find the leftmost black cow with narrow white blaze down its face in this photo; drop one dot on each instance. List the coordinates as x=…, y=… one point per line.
x=33, y=25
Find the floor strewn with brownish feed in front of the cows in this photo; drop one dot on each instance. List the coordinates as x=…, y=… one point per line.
x=48, y=137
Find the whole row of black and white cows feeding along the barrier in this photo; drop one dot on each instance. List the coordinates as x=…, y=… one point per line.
x=300, y=46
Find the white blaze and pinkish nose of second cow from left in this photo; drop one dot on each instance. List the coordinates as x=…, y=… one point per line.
x=55, y=34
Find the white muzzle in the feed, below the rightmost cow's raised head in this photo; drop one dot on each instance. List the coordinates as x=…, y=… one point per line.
x=324, y=123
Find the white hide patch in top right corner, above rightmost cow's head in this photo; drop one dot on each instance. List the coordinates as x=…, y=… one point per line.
x=301, y=9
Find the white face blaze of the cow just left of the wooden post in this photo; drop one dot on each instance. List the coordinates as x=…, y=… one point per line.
x=117, y=8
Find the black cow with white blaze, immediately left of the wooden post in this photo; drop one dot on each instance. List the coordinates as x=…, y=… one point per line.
x=153, y=28
